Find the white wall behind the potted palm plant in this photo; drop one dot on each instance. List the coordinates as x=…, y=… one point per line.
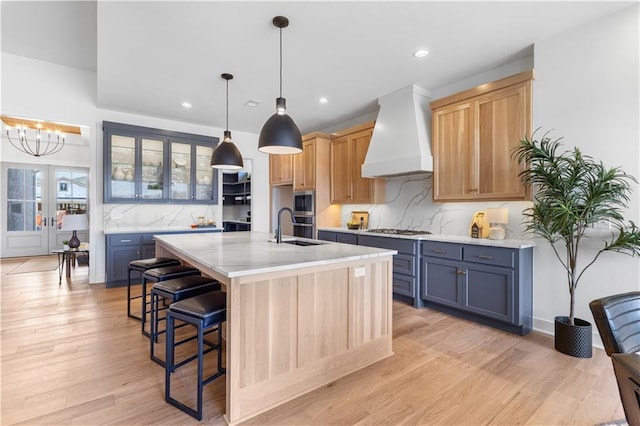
x=586, y=90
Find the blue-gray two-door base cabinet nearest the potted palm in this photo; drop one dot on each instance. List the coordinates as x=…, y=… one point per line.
x=492, y=285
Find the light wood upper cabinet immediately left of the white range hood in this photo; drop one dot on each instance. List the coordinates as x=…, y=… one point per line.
x=348, y=152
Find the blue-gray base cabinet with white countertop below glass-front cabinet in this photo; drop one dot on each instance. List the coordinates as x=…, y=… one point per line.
x=124, y=248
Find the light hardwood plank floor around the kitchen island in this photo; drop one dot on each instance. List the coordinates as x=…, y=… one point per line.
x=70, y=355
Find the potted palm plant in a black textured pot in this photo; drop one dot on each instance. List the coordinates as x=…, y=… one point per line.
x=572, y=194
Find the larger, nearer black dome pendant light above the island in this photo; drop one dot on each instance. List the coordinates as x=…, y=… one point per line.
x=280, y=135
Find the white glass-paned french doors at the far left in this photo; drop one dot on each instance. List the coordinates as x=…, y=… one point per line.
x=34, y=200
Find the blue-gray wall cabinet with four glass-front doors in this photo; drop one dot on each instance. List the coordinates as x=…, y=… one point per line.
x=152, y=165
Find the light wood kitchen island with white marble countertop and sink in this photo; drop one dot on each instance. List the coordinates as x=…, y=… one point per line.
x=298, y=317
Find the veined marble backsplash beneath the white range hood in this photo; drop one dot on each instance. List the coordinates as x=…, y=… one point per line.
x=409, y=205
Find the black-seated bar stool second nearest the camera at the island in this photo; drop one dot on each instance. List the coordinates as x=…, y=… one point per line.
x=175, y=290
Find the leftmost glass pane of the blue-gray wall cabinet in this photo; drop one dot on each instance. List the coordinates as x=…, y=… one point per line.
x=123, y=158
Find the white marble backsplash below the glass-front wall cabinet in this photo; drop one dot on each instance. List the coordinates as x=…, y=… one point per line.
x=155, y=216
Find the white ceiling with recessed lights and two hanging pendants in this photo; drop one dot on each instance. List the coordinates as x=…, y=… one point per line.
x=150, y=56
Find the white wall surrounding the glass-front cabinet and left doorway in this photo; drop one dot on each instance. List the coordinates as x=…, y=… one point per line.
x=46, y=91
